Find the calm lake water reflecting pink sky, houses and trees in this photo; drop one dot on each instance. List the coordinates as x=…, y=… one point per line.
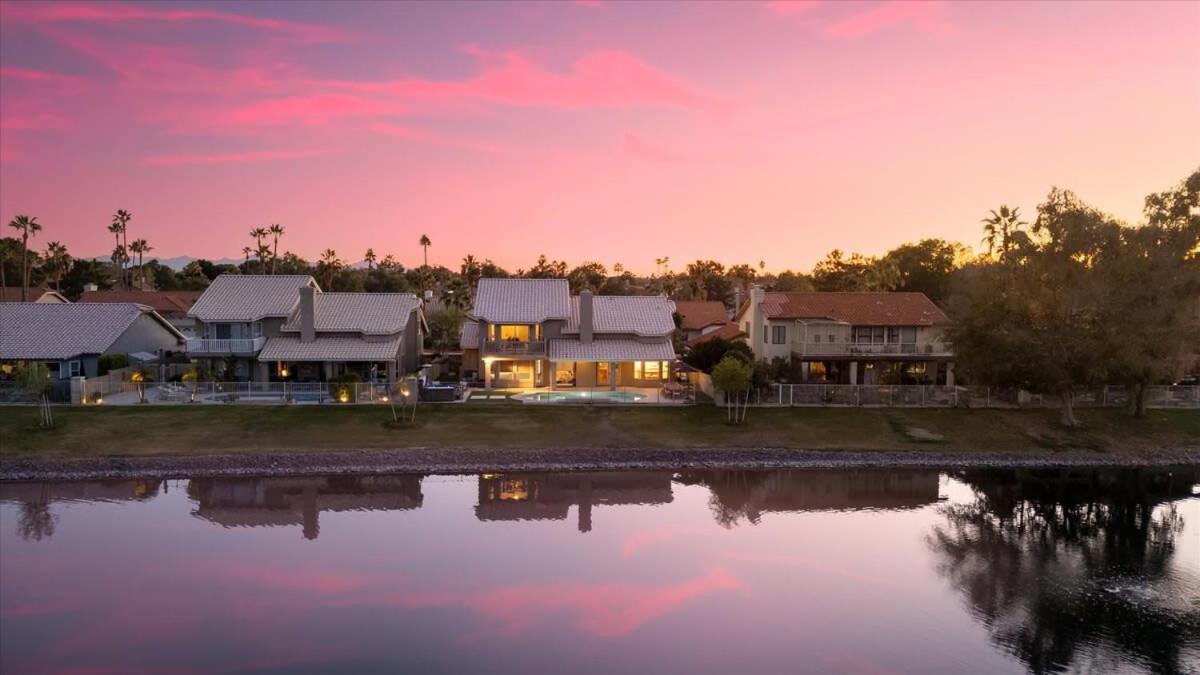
x=861, y=572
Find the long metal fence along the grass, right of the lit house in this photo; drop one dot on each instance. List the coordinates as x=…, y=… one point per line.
x=917, y=396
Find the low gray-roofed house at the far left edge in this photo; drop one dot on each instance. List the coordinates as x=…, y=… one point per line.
x=71, y=338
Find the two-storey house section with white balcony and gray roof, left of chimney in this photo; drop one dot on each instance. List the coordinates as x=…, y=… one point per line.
x=235, y=318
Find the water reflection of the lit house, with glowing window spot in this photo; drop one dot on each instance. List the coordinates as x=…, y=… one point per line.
x=549, y=497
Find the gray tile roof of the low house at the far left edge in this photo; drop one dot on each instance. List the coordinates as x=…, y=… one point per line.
x=61, y=331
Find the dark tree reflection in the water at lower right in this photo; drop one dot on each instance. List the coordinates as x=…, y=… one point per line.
x=1066, y=568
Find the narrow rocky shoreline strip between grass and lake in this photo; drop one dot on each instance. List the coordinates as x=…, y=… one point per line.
x=463, y=461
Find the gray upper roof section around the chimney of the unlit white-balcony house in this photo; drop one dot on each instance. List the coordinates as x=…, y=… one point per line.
x=370, y=314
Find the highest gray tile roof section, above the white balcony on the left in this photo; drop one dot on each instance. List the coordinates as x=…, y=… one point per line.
x=250, y=297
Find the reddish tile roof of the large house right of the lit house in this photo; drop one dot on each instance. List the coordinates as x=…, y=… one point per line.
x=857, y=309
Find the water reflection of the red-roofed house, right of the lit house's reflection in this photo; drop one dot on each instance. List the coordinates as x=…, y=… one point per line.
x=737, y=494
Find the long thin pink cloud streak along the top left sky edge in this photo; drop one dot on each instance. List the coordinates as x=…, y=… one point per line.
x=115, y=13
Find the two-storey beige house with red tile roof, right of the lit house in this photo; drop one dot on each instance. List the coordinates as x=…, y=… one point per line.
x=851, y=338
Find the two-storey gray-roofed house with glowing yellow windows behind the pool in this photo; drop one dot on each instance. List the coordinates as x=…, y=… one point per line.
x=533, y=333
